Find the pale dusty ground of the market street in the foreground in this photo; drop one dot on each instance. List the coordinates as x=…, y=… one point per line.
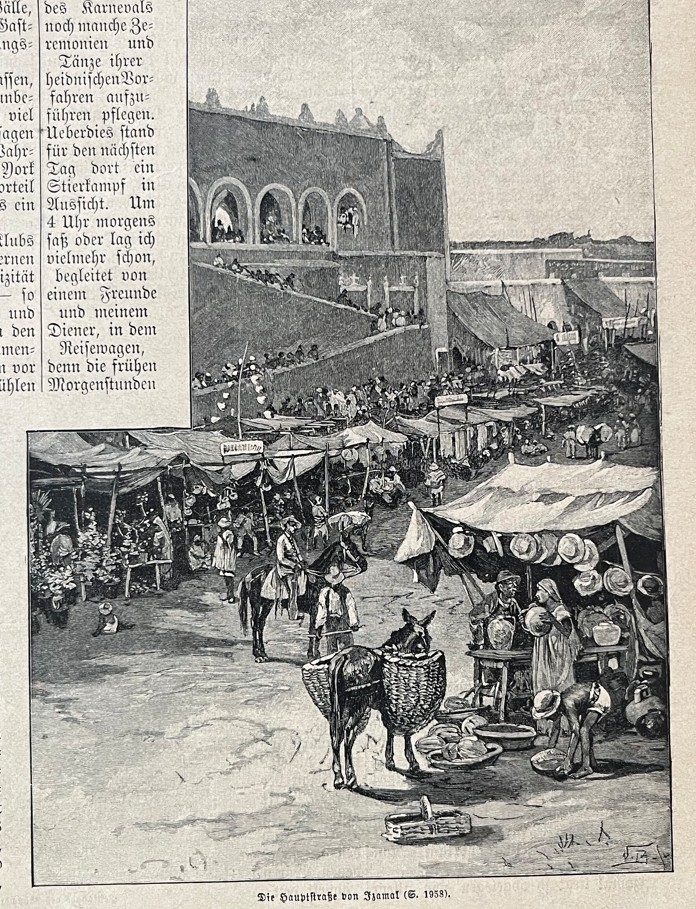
x=167, y=754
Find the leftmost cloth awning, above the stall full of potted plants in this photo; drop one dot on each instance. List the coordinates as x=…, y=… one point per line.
x=135, y=467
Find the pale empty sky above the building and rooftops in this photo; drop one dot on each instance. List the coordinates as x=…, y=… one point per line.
x=544, y=104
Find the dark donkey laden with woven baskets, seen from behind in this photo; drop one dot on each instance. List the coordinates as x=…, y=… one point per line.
x=355, y=675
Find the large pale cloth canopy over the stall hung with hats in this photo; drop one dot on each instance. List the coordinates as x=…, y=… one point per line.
x=559, y=497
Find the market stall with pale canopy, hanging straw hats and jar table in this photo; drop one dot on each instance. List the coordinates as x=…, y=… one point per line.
x=594, y=529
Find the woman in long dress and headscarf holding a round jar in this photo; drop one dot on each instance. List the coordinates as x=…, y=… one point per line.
x=556, y=651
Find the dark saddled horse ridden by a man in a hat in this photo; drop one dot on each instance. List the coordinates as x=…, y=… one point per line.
x=344, y=553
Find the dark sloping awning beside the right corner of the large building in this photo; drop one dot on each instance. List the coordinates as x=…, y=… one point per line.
x=495, y=322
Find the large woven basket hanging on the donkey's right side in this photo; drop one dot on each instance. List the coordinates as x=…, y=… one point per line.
x=413, y=688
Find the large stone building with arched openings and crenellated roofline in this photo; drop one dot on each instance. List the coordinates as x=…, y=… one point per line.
x=340, y=205
